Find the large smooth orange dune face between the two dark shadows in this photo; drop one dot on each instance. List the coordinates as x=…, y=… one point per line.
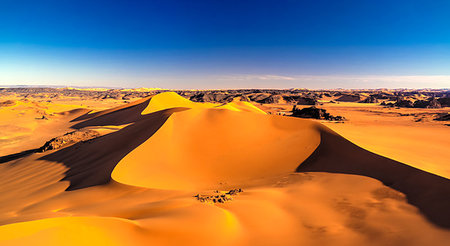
x=213, y=148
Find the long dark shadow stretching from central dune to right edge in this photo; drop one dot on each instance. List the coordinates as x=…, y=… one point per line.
x=428, y=192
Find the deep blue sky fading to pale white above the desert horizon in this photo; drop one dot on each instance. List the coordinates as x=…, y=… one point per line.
x=226, y=44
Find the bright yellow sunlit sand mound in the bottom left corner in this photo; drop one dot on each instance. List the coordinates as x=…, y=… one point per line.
x=71, y=231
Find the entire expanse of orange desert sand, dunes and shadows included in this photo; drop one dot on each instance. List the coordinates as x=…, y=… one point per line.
x=165, y=170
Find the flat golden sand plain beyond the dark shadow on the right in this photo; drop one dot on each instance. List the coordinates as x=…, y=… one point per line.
x=398, y=134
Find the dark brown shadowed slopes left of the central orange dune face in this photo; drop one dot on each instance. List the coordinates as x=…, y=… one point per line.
x=91, y=163
